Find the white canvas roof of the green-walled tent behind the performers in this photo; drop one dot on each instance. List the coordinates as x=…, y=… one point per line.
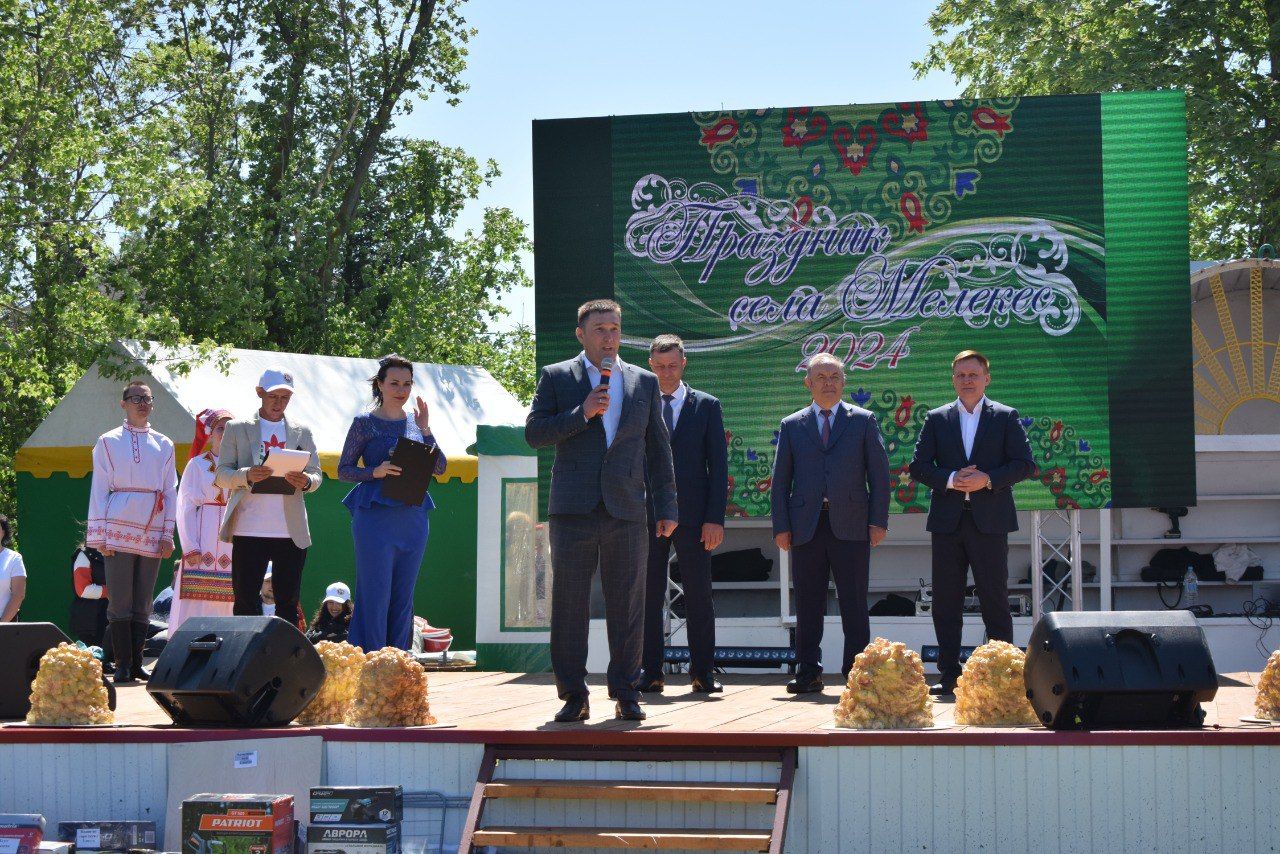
x=330, y=391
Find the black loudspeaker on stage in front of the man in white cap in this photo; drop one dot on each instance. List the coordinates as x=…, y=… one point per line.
x=236, y=672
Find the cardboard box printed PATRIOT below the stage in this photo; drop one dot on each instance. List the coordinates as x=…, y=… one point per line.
x=237, y=825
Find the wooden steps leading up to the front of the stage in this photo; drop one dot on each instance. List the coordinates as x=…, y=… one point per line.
x=766, y=839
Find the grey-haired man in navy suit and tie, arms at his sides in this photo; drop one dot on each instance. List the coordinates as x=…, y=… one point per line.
x=830, y=506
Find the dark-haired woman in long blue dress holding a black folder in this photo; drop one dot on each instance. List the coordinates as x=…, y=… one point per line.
x=391, y=536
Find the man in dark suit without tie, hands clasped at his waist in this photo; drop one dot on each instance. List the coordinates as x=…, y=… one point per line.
x=971, y=454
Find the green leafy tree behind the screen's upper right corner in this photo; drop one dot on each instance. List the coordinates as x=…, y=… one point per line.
x=1226, y=56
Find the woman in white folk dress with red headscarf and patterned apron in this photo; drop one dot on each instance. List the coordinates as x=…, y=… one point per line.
x=203, y=584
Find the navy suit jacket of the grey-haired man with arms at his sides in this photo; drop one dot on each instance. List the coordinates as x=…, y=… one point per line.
x=852, y=473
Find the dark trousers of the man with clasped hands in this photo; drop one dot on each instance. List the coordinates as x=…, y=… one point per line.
x=954, y=555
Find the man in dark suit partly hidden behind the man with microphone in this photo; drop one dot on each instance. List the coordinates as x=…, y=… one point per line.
x=697, y=427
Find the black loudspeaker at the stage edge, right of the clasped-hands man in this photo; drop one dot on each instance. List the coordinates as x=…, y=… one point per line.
x=1119, y=670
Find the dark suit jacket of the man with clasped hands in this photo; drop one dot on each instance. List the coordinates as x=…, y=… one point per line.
x=1000, y=449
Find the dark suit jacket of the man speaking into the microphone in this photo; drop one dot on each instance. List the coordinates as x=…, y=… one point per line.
x=586, y=472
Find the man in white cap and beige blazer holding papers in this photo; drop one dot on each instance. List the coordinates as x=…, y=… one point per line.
x=267, y=522
